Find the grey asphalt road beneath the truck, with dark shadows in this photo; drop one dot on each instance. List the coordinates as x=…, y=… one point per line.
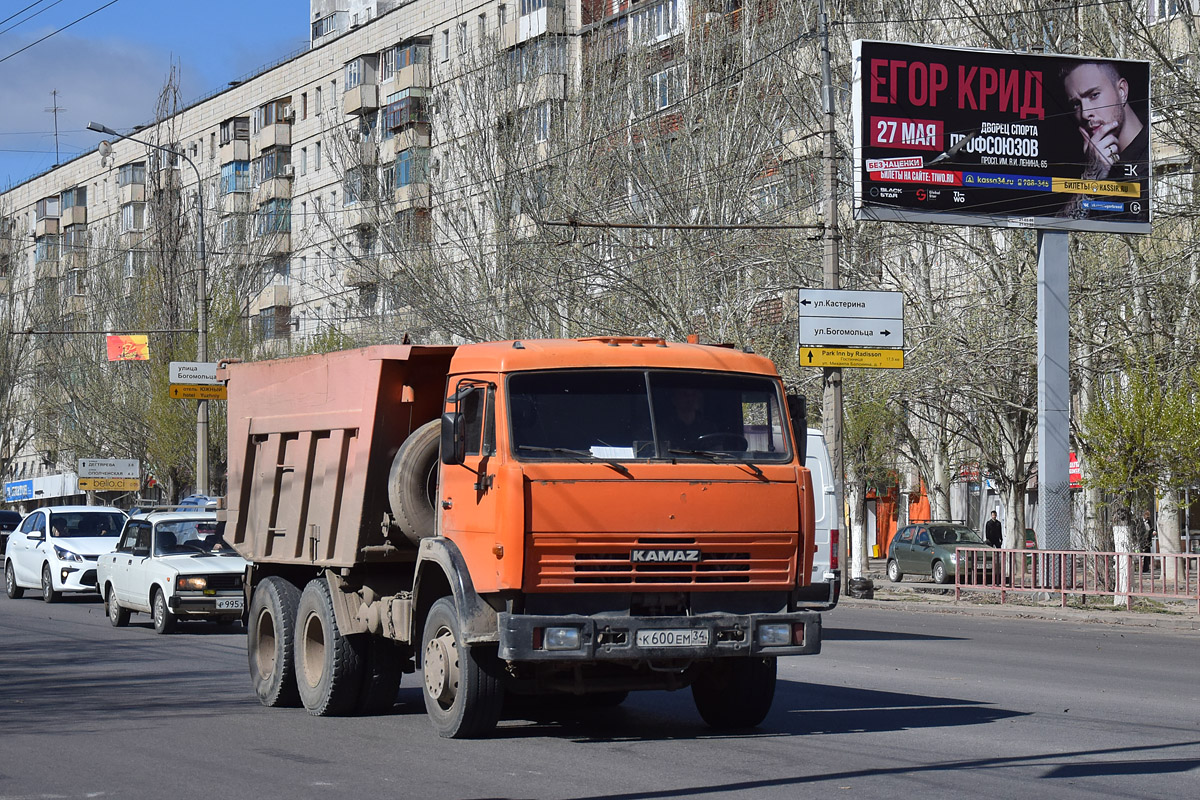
x=901, y=705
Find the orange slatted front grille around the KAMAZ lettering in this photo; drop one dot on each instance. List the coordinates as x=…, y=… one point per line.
x=595, y=561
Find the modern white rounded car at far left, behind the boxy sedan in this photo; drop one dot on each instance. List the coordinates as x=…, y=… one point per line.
x=56, y=549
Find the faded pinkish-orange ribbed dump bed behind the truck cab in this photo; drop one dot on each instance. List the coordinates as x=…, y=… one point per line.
x=311, y=442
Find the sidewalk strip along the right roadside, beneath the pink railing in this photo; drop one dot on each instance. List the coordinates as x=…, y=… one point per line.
x=911, y=594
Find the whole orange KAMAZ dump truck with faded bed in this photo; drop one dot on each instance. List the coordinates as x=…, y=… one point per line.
x=544, y=518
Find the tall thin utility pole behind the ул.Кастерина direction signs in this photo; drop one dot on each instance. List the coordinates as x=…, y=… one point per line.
x=831, y=405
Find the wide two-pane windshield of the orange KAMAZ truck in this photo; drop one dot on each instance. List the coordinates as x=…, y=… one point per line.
x=631, y=416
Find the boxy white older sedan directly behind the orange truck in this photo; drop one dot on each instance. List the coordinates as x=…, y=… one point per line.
x=172, y=566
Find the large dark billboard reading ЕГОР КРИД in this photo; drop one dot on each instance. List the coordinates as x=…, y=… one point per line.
x=975, y=137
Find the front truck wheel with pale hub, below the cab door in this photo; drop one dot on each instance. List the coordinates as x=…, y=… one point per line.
x=464, y=691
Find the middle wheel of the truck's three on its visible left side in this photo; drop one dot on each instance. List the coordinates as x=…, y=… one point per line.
x=329, y=667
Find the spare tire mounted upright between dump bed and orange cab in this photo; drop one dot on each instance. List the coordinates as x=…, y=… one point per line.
x=413, y=483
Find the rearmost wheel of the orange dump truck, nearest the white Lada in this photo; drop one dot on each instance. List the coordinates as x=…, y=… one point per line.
x=269, y=641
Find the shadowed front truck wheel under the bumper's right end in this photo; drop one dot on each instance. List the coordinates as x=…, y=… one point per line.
x=735, y=693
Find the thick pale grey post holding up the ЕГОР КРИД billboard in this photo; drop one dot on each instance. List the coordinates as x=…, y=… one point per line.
x=1053, y=520
